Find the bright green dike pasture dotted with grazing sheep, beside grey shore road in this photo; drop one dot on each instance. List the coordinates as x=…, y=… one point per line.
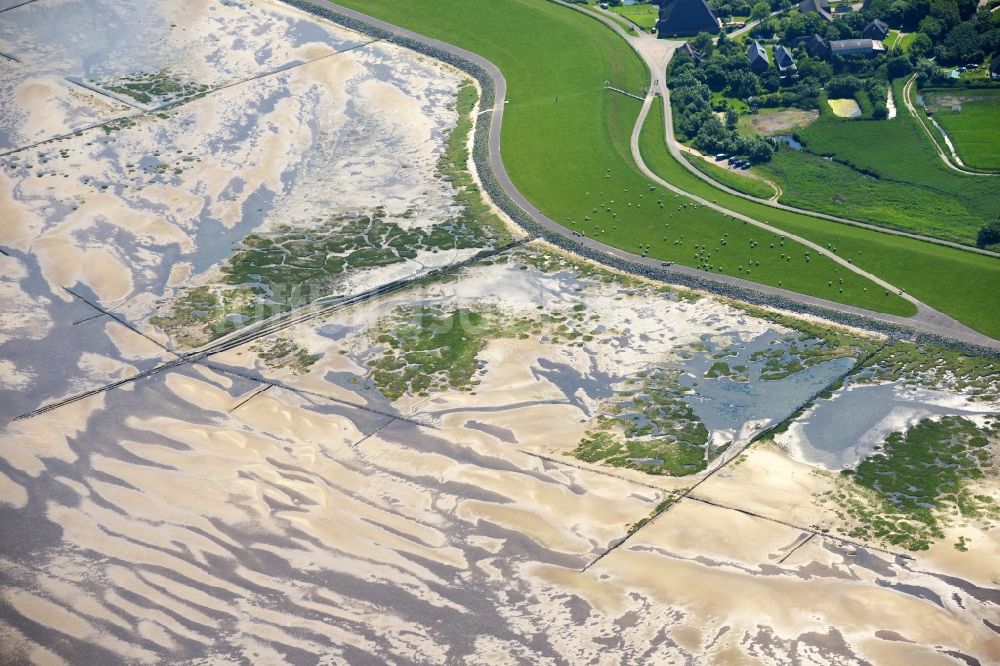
x=566, y=138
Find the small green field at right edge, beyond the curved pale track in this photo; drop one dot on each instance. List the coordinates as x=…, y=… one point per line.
x=975, y=130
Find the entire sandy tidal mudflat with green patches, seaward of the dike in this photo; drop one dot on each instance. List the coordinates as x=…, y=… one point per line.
x=529, y=458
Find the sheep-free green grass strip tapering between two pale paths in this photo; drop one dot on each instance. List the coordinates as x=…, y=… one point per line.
x=960, y=284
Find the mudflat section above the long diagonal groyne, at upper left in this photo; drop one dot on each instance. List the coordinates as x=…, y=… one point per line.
x=266, y=128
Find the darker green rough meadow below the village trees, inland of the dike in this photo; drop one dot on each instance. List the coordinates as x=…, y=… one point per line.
x=913, y=190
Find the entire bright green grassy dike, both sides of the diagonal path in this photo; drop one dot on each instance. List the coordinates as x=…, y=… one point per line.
x=572, y=156
